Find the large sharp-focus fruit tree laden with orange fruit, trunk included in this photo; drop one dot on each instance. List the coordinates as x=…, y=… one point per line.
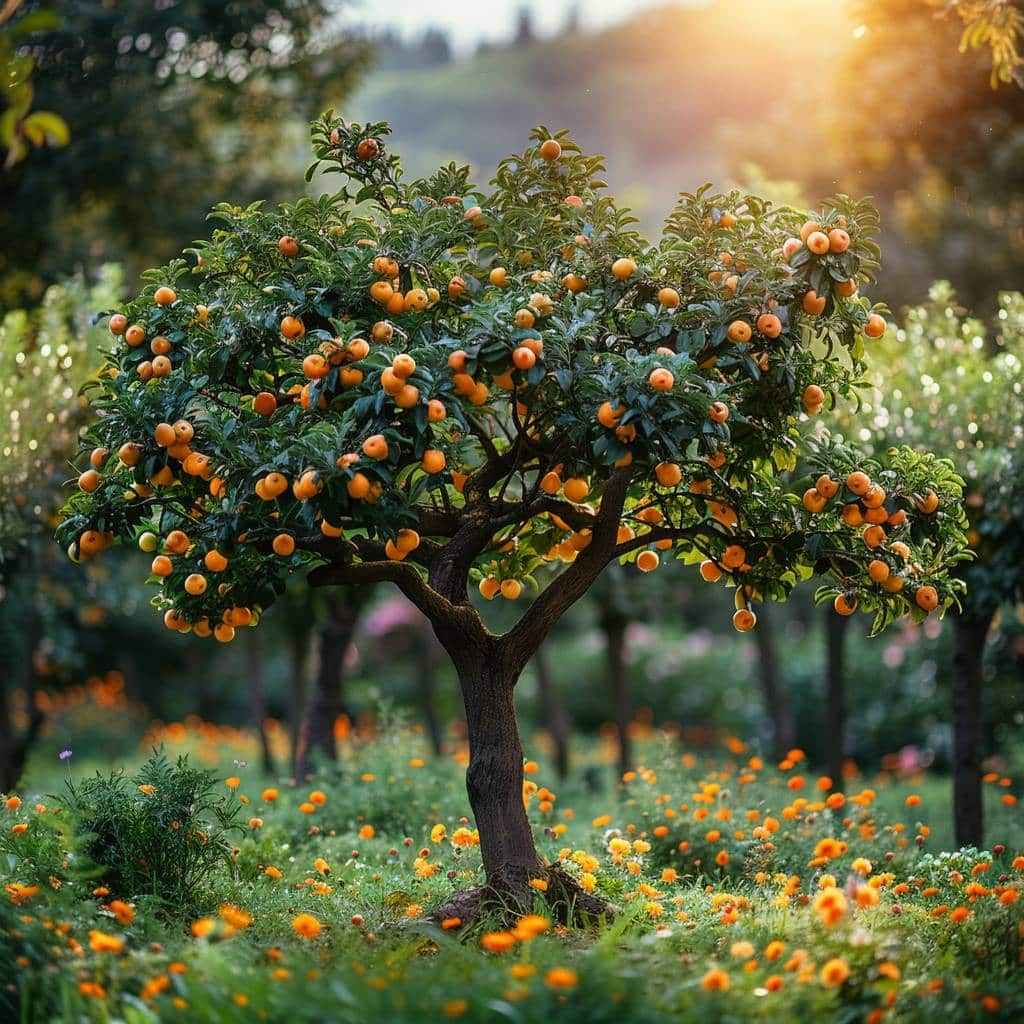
x=452, y=389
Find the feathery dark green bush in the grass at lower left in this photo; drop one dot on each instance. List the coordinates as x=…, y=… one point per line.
x=159, y=833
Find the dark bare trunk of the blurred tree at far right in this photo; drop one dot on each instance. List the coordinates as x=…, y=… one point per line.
x=969, y=650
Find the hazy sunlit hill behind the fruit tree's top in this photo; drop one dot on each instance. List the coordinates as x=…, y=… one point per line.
x=672, y=98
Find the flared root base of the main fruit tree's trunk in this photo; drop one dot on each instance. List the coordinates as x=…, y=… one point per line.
x=507, y=895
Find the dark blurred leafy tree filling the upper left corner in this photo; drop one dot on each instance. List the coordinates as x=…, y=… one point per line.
x=190, y=100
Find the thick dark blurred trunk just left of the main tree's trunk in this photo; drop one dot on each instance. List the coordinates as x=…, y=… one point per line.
x=328, y=702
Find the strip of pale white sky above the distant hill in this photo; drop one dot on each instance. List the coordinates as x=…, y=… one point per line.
x=470, y=22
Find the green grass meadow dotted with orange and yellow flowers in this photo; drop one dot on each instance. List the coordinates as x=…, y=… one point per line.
x=688, y=847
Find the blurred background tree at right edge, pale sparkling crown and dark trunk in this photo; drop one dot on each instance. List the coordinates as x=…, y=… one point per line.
x=949, y=376
